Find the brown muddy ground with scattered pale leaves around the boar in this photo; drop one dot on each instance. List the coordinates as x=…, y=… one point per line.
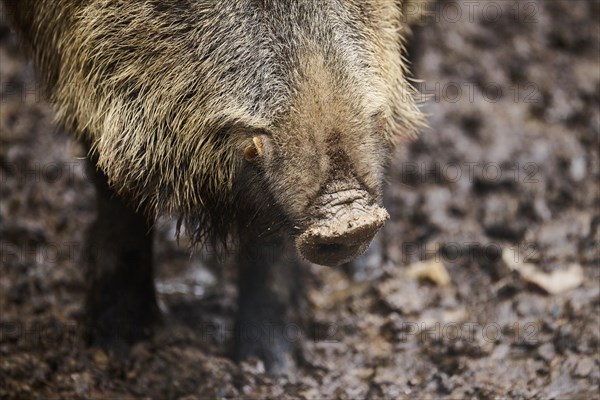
x=510, y=165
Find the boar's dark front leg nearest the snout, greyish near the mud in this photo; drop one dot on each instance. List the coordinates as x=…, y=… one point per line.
x=269, y=290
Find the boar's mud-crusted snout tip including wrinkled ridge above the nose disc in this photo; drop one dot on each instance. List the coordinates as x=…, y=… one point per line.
x=346, y=222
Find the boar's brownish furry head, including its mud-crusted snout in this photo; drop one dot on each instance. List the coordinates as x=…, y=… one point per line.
x=317, y=167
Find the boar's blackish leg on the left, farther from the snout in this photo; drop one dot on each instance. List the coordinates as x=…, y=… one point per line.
x=120, y=302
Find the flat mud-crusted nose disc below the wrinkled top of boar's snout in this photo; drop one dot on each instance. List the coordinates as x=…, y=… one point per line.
x=342, y=238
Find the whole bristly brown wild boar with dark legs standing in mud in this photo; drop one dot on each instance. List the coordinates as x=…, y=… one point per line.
x=265, y=122
